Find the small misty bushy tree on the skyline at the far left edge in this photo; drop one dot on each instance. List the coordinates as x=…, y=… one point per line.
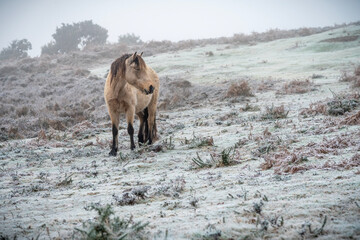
x=17, y=49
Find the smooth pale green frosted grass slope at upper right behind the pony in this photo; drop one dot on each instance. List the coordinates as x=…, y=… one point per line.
x=284, y=58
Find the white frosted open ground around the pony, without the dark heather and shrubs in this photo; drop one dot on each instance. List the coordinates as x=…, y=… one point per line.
x=48, y=182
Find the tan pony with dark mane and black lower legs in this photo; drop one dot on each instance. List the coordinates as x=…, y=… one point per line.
x=132, y=88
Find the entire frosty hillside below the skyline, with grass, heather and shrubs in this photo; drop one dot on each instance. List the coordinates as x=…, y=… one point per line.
x=257, y=140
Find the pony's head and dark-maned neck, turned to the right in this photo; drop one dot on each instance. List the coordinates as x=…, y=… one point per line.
x=133, y=69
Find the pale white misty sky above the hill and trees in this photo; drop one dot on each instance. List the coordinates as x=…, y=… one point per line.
x=36, y=20
